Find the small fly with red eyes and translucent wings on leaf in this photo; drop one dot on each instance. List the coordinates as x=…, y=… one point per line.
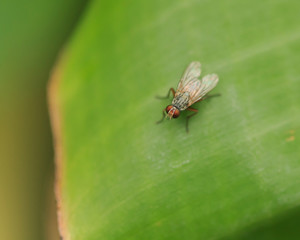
x=190, y=90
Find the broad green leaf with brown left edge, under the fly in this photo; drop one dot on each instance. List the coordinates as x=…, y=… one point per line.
x=237, y=171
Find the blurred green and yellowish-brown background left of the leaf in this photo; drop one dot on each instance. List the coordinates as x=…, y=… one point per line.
x=32, y=33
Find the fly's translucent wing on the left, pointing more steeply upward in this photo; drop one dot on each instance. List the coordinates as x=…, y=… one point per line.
x=192, y=72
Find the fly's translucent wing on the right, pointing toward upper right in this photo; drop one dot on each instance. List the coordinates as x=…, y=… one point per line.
x=205, y=85
